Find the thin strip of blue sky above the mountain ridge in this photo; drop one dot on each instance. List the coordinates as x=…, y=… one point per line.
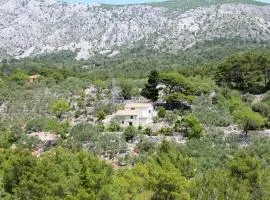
x=120, y=1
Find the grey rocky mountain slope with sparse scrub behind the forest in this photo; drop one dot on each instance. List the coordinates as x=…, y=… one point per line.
x=31, y=27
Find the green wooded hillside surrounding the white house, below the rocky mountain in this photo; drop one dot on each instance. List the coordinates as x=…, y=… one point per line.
x=224, y=151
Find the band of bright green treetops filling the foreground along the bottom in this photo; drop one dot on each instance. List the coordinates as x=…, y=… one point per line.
x=173, y=172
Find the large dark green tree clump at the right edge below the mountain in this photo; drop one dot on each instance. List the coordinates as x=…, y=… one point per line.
x=248, y=72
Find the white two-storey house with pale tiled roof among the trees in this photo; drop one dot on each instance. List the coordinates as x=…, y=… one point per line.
x=135, y=114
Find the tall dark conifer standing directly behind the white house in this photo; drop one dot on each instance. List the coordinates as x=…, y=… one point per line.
x=150, y=90
